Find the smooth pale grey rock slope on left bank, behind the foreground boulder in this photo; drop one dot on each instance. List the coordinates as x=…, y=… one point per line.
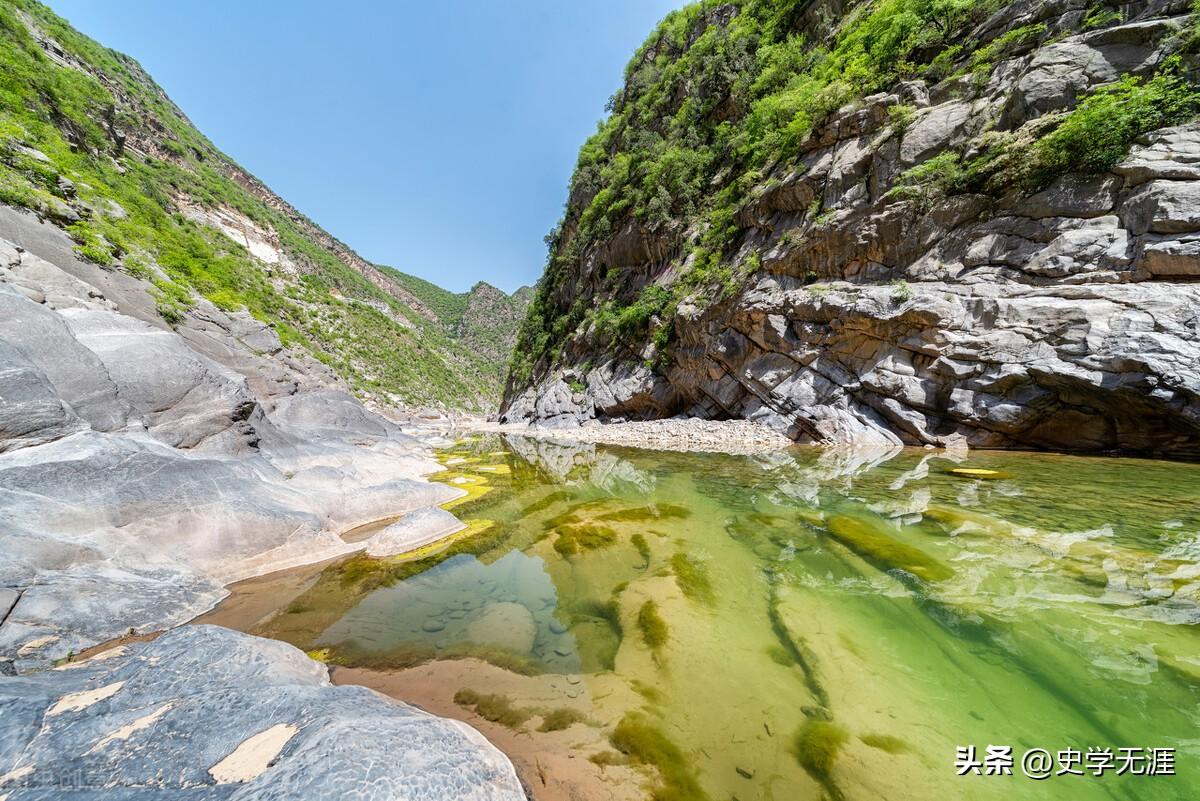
x=142, y=468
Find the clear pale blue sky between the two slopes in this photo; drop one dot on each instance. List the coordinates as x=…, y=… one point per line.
x=436, y=137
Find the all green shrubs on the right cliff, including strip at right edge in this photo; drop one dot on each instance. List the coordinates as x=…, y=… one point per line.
x=721, y=103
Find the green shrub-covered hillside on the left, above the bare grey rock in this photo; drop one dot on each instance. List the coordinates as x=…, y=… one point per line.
x=88, y=141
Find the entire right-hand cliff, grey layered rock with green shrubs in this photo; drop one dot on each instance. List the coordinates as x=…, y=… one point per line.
x=891, y=221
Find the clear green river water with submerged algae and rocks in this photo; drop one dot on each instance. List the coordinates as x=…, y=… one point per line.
x=827, y=624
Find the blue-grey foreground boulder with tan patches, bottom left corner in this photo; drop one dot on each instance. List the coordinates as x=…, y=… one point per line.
x=205, y=713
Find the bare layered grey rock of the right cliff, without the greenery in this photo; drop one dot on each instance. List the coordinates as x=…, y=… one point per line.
x=1065, y=318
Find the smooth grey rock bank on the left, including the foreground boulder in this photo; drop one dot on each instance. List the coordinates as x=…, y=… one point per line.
x=145, y=467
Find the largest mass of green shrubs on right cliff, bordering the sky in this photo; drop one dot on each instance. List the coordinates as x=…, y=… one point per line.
x=705, y=112
